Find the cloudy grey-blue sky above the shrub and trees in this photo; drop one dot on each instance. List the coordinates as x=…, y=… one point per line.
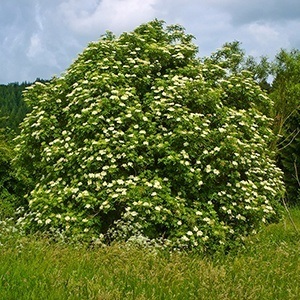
x=41, y=38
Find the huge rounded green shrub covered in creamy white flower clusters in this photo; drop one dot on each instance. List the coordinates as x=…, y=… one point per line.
x=140, y=140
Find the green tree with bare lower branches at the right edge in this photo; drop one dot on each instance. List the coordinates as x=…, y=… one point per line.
x=286, y=96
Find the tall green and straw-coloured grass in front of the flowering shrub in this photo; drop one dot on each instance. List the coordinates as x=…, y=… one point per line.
x=267, y=268
